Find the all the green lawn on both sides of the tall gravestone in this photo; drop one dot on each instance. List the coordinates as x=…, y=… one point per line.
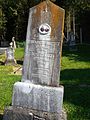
x=75, y=77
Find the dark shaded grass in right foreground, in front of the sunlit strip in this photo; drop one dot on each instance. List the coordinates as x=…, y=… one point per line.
x=76, y=97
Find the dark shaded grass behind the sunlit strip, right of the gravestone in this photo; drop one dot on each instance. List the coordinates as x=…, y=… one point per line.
x=82, y=53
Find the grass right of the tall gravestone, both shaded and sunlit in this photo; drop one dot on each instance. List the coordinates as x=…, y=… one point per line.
x=75, y=77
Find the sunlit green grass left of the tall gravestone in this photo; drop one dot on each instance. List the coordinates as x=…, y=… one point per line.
x=8, y=78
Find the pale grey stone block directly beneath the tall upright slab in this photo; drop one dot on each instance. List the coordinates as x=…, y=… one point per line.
x=43, y=99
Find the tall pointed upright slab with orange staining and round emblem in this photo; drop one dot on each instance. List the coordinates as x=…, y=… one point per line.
x=44, y=44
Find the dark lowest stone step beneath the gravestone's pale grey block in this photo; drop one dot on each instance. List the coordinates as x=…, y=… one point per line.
x=12, y=113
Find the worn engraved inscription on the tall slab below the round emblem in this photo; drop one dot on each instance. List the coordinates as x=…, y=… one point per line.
x=44, y=54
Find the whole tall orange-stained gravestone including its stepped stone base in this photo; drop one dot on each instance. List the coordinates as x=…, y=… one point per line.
x=39, y=91
